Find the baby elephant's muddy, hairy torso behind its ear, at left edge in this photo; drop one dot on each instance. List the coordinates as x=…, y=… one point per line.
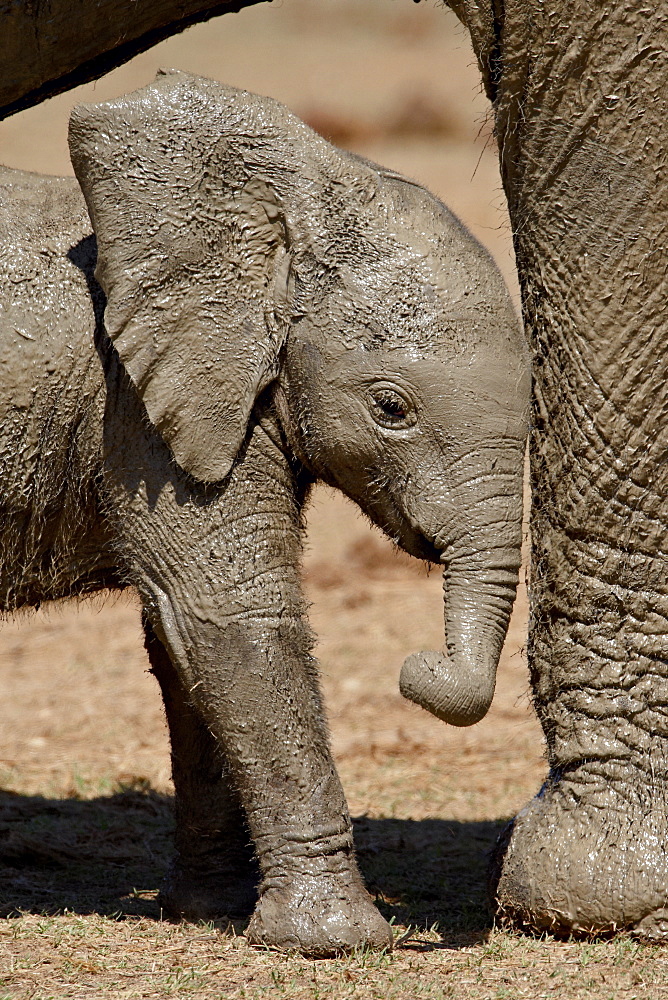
x=53, y=542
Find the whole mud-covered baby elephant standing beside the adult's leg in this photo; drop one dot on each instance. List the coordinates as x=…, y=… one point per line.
x=255, y=311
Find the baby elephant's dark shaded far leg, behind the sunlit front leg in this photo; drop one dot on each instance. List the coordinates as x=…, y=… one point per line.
x=214, y=874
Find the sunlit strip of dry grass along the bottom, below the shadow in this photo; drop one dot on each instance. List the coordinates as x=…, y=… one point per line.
x=75, y=956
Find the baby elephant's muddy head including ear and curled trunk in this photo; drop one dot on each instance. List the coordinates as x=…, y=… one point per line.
x=238, y=251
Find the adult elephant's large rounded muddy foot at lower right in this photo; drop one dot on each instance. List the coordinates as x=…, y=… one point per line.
x=588, y=854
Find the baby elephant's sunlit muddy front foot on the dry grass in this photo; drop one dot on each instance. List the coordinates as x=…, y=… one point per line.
x=320, y=915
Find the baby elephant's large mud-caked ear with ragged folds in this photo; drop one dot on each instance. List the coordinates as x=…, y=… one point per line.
x=191, y=243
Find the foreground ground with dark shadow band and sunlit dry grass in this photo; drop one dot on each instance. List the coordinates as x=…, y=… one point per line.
x=80, y=880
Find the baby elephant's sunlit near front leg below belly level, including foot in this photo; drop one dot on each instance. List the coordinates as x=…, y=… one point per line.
x=312, y=897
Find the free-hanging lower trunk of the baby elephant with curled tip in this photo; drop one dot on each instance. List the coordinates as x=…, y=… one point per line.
x=457, y=685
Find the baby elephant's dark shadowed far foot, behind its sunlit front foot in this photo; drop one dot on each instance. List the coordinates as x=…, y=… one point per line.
x=193, y=892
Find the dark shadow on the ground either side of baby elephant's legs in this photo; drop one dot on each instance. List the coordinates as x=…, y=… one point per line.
x=107, y=855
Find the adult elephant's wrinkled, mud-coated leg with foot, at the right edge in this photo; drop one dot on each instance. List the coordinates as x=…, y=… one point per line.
x=579, y=94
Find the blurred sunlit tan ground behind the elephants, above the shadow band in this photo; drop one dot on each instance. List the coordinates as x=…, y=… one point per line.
x=396, y=82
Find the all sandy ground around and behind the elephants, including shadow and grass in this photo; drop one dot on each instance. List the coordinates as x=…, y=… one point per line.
x=85, y=809
